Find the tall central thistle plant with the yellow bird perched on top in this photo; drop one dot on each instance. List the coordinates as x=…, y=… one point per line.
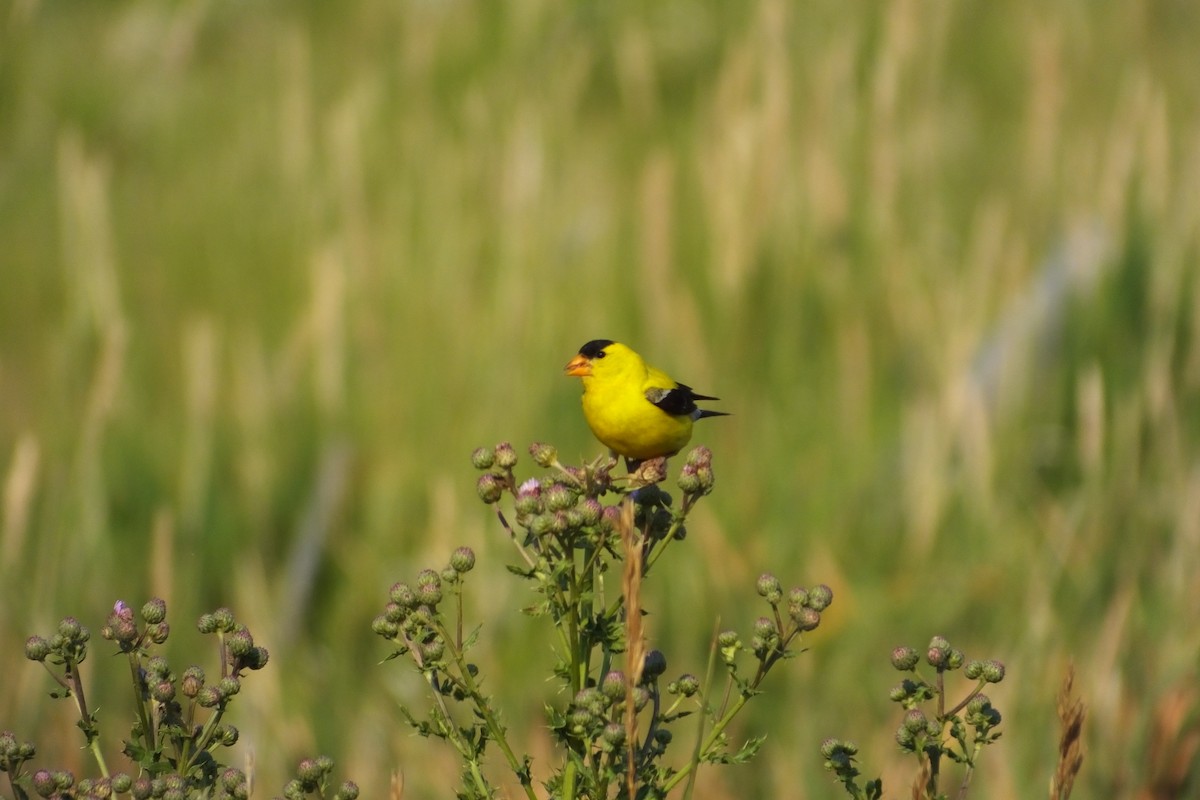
x=585, y=542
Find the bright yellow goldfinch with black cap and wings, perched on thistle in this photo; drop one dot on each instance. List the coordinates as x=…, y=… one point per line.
x=634, y=410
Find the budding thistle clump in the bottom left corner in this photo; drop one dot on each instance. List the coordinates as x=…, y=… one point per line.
x=181, y=721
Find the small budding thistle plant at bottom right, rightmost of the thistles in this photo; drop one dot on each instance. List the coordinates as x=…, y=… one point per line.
x=937, y=731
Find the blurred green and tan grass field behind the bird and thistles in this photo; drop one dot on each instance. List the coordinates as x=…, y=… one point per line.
x=269, y=273
